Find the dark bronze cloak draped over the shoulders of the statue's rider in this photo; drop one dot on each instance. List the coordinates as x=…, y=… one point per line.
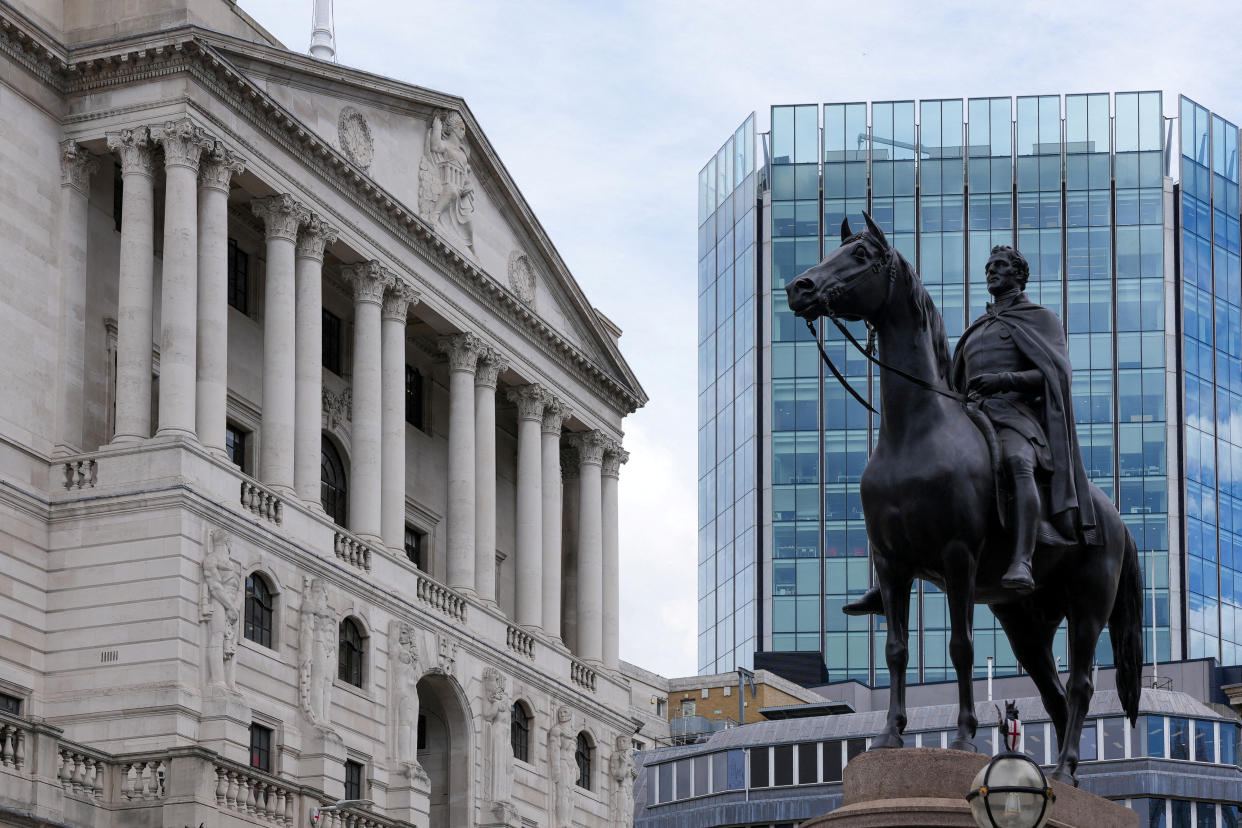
x=1038, y=333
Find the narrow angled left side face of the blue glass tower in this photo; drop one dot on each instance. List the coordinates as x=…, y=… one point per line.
x=728, y=426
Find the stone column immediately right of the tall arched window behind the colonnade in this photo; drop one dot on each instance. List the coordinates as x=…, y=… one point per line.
x=369, y=281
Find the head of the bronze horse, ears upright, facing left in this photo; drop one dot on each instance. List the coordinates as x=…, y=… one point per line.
x=853, y=282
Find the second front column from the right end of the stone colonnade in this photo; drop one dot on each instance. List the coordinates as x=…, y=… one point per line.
x=591, y=547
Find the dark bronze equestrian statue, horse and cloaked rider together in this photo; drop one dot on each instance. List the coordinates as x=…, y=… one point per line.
x=977, y=486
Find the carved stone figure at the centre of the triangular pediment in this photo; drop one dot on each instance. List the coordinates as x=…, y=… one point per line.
x=446, y=197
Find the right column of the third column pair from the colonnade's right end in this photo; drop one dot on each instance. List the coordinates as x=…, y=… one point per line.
x=491, y=366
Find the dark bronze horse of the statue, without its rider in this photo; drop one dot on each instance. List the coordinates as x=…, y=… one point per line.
x=930, y=502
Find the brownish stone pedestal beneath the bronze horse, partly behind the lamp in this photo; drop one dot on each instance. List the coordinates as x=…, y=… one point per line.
x=926, y=788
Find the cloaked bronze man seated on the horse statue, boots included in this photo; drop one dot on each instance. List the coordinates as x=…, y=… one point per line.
x=1013, y=363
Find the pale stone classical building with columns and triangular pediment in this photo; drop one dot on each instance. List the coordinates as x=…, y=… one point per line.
x=310, y=448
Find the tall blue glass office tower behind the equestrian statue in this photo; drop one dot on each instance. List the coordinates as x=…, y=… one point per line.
x=1130, y=220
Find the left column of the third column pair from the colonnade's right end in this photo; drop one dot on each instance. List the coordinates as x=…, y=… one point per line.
x=464, y=352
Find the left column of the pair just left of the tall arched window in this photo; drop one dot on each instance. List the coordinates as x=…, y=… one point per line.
x=283, y=217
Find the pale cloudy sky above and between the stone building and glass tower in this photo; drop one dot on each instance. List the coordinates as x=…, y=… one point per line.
x=605, y=112
